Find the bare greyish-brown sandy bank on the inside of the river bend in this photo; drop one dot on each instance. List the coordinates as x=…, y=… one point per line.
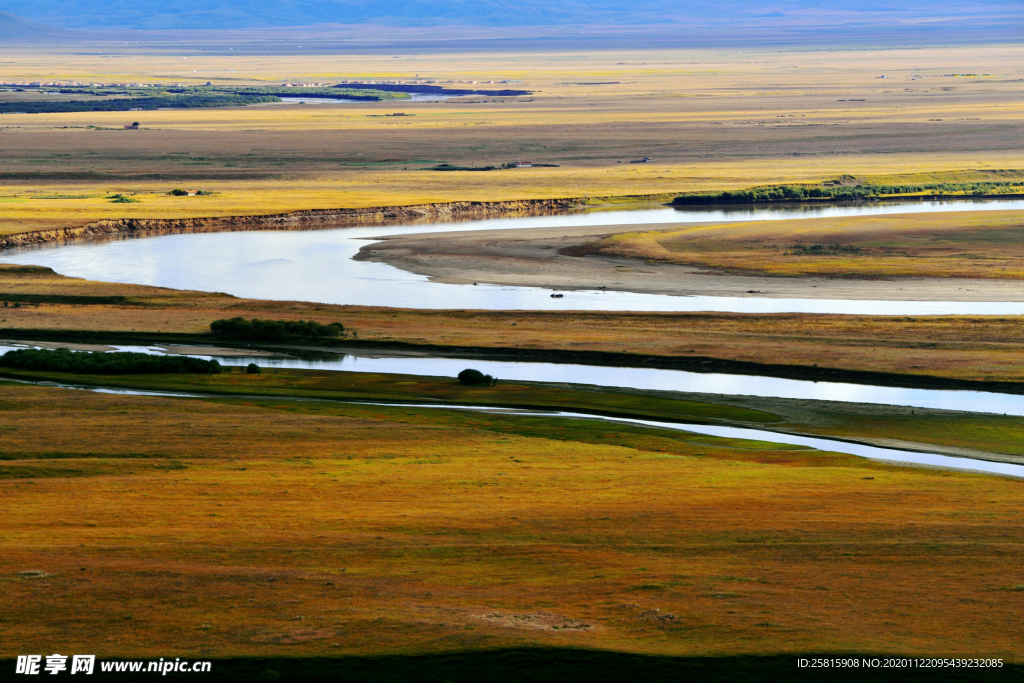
x=532, y=259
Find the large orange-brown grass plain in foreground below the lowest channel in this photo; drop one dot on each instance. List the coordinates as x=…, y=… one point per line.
x=217, y=529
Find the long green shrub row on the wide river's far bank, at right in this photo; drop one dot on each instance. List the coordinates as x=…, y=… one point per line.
x=840, y=194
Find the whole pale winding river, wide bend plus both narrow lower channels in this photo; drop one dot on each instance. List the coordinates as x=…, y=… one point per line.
x=318, y=266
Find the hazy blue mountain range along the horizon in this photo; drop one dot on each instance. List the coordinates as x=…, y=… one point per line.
x=184, y=15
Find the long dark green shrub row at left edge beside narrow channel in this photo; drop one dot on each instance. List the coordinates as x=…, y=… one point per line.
x=120, y=363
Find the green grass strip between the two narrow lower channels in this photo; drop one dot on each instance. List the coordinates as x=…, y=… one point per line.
x=977, y=436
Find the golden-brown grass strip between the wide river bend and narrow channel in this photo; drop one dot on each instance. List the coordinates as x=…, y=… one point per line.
x=979, y=349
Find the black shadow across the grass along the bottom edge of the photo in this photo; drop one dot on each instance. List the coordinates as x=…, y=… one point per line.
x=543, y=665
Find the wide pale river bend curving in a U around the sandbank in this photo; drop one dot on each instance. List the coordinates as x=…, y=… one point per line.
x=318, y=266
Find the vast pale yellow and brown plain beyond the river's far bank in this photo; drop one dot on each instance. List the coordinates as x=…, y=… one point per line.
x=711, y=119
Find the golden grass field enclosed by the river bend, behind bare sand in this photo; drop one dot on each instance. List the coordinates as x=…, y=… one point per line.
x=947, y=245
